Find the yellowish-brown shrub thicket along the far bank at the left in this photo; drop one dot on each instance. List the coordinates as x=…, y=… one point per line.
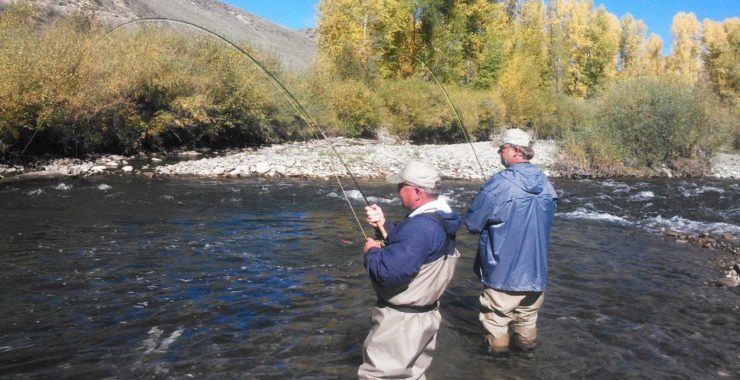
x=69, y=88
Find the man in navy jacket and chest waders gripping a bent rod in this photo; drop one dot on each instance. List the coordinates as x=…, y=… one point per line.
x=409, y=275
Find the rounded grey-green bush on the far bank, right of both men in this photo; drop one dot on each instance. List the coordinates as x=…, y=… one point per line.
x=643, y=124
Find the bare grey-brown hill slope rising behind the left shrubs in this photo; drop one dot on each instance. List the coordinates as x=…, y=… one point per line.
x=295, y=49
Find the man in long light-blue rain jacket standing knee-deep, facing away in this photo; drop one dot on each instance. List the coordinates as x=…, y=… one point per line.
x=513, y=213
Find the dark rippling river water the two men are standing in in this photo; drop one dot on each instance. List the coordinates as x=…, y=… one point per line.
x=129, y=277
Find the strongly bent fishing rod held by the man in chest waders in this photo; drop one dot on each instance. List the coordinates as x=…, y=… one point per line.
x=318, y=132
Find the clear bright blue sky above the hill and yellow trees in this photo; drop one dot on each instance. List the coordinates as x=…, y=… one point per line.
x=657, y=14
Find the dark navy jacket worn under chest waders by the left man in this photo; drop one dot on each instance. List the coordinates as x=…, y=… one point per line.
x=418, y=240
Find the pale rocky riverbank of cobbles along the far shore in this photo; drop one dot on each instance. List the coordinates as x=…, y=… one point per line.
x=317, y=159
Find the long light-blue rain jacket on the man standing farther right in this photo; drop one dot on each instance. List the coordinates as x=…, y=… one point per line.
x=513, y=213
